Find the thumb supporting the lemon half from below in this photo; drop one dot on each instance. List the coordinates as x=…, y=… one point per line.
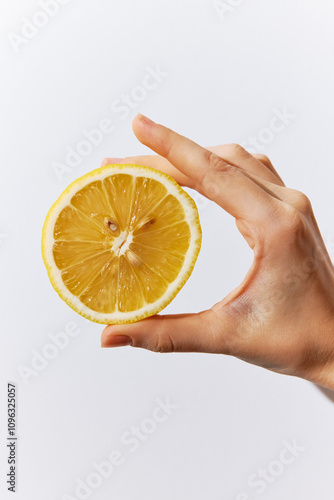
x=167, y=333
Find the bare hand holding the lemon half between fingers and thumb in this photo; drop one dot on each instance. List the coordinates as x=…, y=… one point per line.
x=281, y=316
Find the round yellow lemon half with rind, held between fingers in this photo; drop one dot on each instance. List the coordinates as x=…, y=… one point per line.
x=120, y=242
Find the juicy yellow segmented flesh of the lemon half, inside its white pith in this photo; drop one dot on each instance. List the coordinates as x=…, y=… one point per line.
x=120, y=243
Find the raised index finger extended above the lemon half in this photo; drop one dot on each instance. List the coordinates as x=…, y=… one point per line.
x=225, y=184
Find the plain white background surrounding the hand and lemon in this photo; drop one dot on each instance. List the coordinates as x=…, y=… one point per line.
x=226, y=76
